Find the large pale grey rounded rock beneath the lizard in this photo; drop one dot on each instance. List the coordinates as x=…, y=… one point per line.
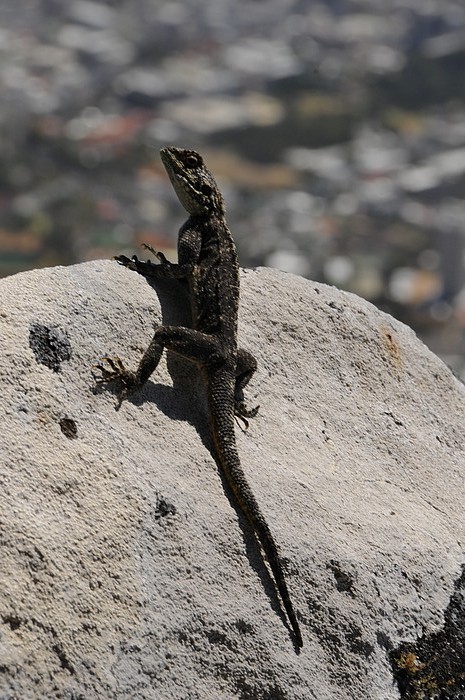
x=126, y=571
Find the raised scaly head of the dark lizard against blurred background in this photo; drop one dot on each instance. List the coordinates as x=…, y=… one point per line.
x=193, y=183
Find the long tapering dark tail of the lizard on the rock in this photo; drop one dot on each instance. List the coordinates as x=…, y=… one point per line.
x=221, y=403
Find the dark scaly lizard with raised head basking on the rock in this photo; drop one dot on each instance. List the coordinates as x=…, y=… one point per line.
x=207, y=259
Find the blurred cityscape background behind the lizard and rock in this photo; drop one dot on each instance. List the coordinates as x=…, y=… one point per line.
x=336, y=130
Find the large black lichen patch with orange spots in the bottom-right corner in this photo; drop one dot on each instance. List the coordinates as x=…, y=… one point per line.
x=434, y=666
